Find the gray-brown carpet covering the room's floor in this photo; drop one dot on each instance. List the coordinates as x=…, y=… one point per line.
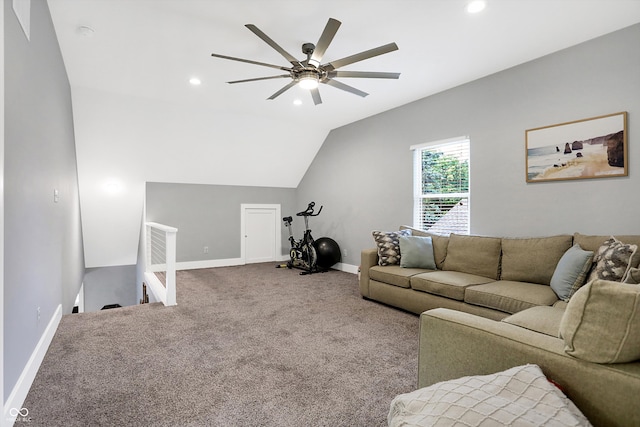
x=245, y=346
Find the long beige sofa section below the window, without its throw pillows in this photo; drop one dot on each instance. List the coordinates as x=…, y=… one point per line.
x=491, y=277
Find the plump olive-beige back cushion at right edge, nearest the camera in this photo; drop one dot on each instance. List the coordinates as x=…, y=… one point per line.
x=602, y=323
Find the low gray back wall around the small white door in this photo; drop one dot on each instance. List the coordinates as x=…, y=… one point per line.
x=209, y=215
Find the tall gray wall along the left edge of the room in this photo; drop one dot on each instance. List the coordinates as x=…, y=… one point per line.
x=43, y=261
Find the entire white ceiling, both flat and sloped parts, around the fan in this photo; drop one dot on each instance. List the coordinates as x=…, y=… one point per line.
x=138, y=119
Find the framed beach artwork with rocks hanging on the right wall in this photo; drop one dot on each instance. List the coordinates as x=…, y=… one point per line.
x=589, y=148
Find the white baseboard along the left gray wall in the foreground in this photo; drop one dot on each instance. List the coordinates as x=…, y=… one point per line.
x=13, y=406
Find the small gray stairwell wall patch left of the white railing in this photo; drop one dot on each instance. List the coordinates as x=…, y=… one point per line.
x=109, y=285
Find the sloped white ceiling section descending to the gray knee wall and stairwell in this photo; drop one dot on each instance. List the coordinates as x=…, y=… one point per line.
x=131, y=140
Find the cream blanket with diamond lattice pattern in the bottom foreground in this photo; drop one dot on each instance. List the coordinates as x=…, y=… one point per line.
x=520, y=396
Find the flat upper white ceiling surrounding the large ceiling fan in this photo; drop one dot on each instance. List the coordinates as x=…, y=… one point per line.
x=151, y=48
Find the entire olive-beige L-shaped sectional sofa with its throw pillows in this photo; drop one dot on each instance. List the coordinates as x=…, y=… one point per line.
x=489, y=305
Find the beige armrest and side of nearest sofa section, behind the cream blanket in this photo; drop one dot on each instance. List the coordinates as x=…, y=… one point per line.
x=455, y=344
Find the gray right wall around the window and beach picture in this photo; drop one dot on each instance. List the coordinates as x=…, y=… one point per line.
x=363, y=172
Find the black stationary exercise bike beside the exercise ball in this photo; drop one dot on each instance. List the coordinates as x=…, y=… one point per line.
x=303, y=252
